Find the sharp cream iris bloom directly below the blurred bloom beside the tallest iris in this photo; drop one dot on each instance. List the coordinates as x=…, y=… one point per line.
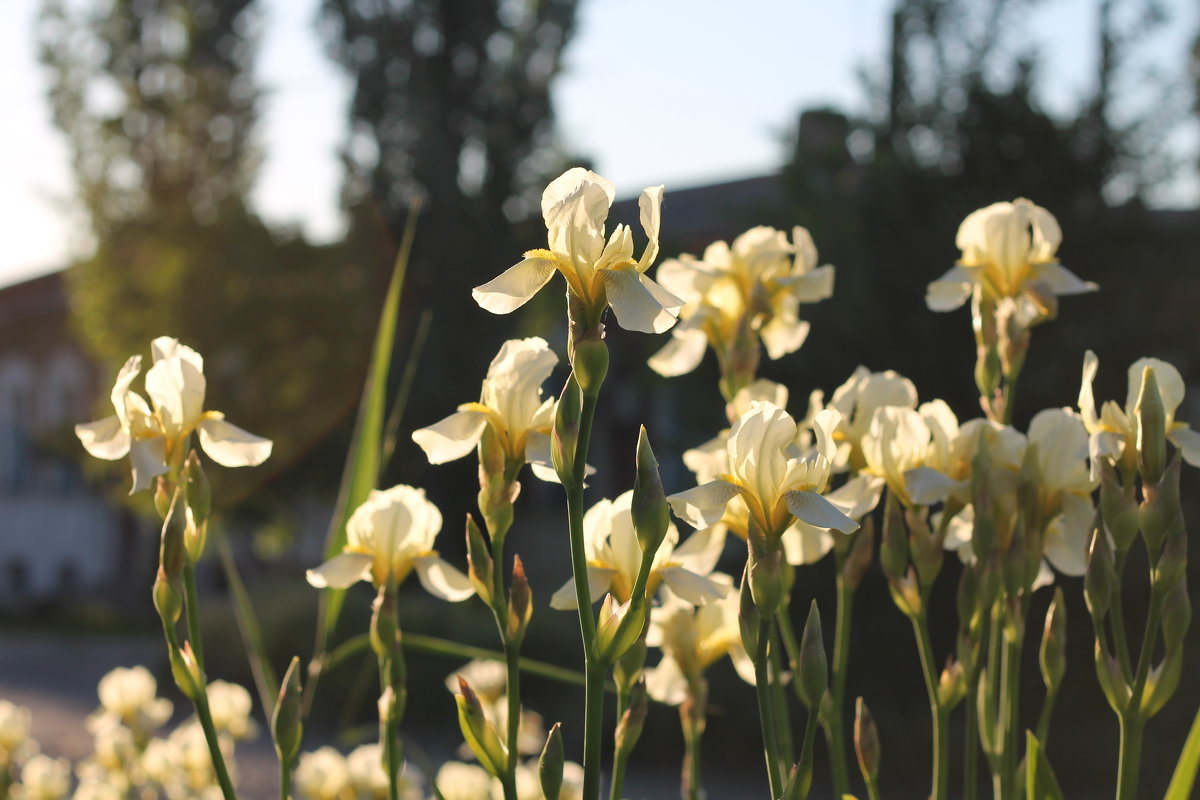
x=772, y=473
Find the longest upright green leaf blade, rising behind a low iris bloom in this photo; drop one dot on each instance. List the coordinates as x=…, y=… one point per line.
x=362, y=473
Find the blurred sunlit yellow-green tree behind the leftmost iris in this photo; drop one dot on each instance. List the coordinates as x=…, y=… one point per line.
x=158, y=103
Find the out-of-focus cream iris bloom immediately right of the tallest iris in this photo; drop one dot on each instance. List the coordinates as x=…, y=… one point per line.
x=752, y=290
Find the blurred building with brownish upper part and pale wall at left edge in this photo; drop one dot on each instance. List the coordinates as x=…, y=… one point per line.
x=59, y=539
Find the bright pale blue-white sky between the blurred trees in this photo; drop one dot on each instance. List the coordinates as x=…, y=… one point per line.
x=656, y=92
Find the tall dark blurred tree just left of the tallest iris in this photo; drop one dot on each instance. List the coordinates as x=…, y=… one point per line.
x=452, y=105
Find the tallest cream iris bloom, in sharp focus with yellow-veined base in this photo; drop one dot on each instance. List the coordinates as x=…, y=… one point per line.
x=598, y=273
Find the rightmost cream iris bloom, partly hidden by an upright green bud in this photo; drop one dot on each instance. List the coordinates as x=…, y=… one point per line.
x=1114, y=431
